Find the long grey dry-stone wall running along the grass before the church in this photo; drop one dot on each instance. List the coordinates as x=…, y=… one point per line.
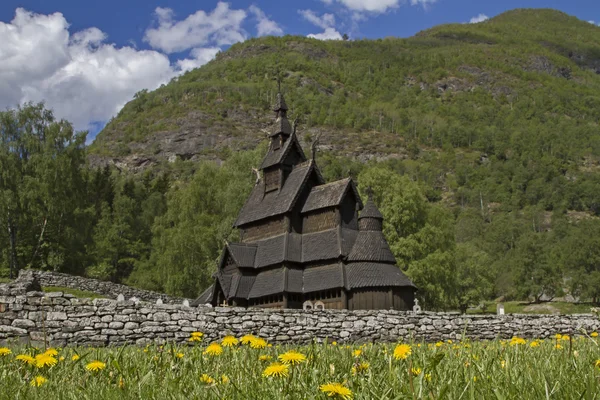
x=29, y=315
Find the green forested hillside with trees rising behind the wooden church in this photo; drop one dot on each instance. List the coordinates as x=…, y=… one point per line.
x=481, y=143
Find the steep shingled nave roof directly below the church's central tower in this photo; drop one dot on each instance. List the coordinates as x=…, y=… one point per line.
x=261, y=205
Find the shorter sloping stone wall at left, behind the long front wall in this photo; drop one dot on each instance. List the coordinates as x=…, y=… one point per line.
x=105, y=288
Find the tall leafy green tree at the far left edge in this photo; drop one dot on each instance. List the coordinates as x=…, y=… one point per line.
x=41, y=188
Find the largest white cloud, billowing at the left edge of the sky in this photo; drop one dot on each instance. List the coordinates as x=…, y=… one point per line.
x=80, y=76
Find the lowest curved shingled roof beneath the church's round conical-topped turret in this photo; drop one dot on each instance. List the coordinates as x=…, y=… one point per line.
x=369, y=274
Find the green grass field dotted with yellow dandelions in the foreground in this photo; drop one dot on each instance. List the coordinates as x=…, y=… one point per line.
x=558, y=368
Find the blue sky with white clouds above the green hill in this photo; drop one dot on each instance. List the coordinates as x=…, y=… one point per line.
x=86, y=59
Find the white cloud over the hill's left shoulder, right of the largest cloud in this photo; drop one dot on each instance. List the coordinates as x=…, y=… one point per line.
x=222, y=26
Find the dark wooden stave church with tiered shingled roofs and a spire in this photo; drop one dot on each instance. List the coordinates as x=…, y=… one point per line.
x=306, y=243
